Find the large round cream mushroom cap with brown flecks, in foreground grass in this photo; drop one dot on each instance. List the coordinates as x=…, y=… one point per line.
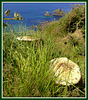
x=65, y=71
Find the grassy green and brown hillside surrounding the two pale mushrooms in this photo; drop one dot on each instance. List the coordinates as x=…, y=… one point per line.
x=26, y=66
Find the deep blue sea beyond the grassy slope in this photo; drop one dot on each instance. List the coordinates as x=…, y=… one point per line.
x=33, y=13
